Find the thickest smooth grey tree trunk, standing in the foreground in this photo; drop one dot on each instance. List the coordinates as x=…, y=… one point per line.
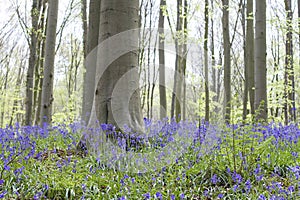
x=120, y=77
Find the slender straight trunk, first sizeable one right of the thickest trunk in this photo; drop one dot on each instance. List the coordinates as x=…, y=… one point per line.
x=161, y=54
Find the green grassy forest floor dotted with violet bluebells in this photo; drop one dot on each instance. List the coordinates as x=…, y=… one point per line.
x=222, y=162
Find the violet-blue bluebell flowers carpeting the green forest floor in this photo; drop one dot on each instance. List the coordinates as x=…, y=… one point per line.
x=19, y=144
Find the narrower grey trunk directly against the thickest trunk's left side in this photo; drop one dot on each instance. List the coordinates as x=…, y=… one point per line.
x=90, y=72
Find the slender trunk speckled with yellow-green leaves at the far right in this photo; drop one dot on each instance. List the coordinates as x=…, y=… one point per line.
x=289, y=106
